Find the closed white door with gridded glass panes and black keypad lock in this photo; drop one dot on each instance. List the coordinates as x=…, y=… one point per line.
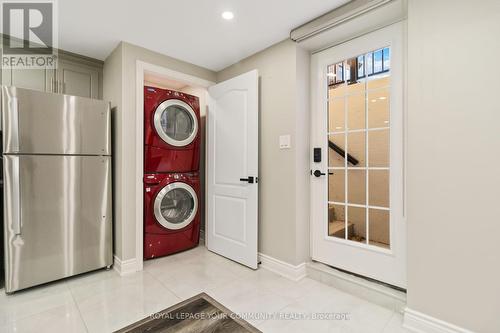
x=357, y=221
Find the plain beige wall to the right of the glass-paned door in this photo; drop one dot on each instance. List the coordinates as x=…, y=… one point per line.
x=453, y=162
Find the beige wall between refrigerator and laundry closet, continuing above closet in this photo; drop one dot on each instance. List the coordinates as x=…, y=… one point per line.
x=125, y=137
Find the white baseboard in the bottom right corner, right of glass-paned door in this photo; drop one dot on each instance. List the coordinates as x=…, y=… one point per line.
x=422, y=323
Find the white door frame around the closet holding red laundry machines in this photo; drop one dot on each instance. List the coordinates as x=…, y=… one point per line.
x=143, y=68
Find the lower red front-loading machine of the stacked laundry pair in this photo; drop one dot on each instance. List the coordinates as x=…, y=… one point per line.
x=171, y=213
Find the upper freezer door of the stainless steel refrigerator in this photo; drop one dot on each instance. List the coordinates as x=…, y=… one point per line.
x=35, y=122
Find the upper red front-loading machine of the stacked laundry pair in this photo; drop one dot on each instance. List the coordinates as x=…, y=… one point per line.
x=171, y=131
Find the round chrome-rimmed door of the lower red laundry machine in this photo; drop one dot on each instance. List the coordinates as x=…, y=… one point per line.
x=176, y=205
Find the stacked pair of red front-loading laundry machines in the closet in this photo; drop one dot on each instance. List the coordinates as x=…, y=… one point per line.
x=171, y=172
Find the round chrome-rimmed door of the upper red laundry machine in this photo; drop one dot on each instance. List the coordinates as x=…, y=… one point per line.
x=175, y=122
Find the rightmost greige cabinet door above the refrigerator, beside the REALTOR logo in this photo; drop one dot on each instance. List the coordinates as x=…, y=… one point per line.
x=78, y=80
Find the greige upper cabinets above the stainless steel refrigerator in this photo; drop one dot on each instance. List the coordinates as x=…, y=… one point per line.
x=75, y=75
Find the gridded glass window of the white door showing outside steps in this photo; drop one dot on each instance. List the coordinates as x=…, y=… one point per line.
x=363, y=78
